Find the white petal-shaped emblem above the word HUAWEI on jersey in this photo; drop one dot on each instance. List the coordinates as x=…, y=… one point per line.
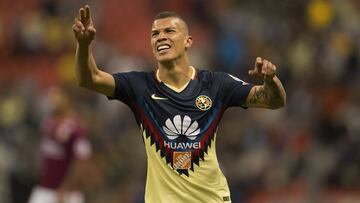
x=181, y=126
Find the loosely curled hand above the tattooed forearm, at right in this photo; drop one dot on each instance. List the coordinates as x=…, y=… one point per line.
x=263, y=70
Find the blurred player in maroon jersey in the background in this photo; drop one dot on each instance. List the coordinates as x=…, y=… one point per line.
x=65, y=152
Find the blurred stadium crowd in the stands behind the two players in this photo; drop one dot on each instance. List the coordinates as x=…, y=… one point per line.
x=308, y=151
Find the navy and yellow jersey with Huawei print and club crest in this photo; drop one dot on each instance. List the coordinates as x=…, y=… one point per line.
x=179, y=132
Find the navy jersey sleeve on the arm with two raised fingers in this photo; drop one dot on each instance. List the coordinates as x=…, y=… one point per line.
x=127, y=86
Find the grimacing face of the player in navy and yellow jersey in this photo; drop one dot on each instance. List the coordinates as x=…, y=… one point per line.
x=169, y=39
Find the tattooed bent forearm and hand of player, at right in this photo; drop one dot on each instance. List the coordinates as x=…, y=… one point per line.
x=271, y=94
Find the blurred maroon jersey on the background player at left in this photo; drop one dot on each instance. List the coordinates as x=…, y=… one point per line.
x=63, y=141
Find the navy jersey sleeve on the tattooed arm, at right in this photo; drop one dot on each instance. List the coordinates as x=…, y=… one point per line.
x=233, y=90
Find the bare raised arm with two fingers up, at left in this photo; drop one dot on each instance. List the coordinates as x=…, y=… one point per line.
x=87, y=73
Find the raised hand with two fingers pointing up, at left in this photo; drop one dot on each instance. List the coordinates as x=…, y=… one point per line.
x=83, y=27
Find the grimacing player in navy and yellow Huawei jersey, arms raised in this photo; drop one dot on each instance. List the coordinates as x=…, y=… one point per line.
x=177, y=107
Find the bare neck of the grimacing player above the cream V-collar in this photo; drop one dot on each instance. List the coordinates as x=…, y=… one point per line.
x=176, y=73
